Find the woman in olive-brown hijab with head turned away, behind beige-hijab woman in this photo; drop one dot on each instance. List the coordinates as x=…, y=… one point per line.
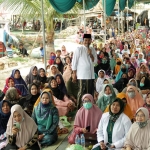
x=13, y=97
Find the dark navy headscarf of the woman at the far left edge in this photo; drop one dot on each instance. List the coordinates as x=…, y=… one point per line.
x=4, y=117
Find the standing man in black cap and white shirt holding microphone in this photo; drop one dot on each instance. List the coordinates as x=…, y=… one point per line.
x=84, y=59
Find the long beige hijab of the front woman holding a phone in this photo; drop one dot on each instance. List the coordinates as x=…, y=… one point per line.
x=27, y=126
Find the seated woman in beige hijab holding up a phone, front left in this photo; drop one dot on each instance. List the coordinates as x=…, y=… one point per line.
x=21, y=130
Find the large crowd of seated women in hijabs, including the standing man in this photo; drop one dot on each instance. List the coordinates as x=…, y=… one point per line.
x=108, y=85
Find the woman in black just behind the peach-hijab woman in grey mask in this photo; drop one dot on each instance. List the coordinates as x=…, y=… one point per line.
x=121, y=83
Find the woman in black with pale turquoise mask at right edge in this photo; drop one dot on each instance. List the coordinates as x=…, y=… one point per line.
x=144, y=85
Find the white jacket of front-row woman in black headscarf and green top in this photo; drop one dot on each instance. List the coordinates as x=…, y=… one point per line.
x=120, y=129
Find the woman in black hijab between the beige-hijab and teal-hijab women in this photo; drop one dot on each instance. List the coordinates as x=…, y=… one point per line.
x=31, y=98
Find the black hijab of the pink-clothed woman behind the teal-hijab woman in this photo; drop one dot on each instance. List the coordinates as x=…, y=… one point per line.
x=56, y=91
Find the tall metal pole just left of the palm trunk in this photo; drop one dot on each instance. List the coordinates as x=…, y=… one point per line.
x=43, y=29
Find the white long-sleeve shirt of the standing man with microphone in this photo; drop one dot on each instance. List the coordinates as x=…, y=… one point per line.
x=83, y=64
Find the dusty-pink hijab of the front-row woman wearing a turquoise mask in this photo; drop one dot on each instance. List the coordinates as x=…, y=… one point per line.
x=89, y=117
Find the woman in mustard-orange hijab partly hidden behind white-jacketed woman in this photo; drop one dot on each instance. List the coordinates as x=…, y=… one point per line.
x=127, y=110
